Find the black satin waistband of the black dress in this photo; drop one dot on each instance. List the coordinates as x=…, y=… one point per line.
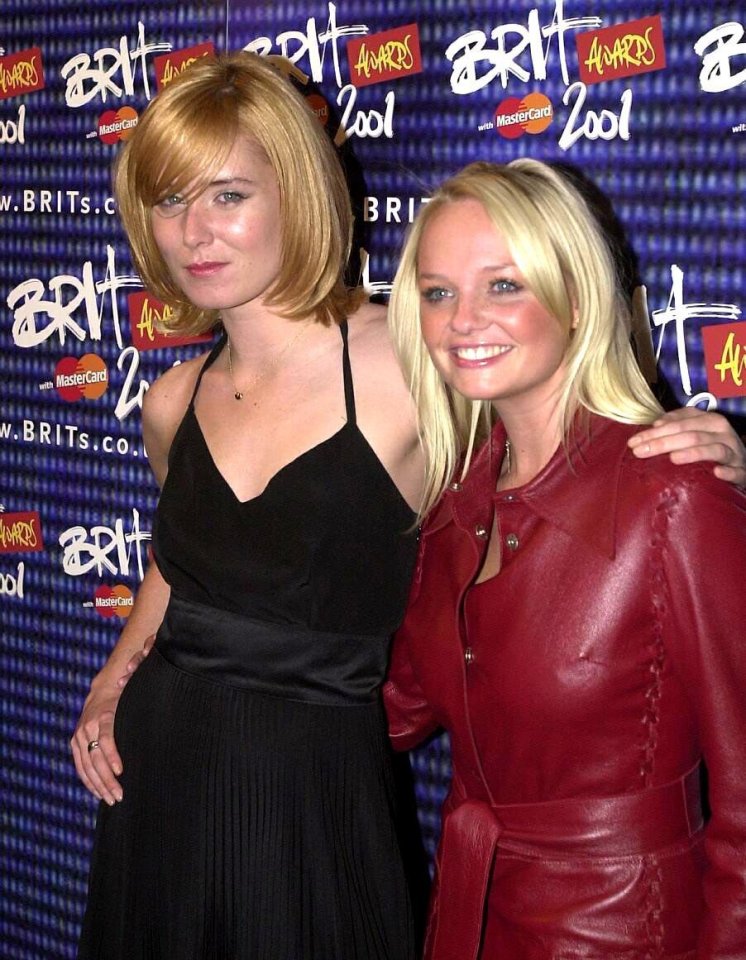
x=276, y=659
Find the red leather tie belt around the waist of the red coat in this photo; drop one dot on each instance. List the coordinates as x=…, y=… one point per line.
x=631, y=824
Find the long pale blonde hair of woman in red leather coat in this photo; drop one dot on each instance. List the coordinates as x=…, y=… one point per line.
x=558, y=246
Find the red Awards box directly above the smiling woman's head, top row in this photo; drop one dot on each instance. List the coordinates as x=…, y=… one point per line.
x=621, y=51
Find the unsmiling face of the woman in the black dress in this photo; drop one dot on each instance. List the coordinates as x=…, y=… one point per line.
x=223, y=246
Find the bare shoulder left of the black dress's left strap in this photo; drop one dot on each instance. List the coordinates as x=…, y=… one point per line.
x=163, y=408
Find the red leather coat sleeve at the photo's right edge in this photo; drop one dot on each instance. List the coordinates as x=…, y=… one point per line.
x=703, y=592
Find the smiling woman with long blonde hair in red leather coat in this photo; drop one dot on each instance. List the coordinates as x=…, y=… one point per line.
x=576, y=618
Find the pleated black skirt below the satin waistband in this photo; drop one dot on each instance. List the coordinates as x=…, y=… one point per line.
x=253, y=826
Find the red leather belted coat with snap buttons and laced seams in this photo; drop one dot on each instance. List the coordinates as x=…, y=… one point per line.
x=581, y=688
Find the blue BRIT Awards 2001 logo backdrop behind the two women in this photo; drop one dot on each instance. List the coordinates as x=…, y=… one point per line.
x=644, y=97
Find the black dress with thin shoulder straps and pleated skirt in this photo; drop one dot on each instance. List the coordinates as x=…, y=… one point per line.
x=259, y=811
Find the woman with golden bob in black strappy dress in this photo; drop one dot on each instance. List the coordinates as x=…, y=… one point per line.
x=252, y=812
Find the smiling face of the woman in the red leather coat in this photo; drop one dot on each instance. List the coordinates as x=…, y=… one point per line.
x=487, y=333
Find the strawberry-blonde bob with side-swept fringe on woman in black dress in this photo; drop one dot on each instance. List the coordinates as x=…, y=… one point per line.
x=180, y=143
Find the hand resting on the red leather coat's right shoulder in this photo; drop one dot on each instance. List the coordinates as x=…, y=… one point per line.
x=691, y=434
